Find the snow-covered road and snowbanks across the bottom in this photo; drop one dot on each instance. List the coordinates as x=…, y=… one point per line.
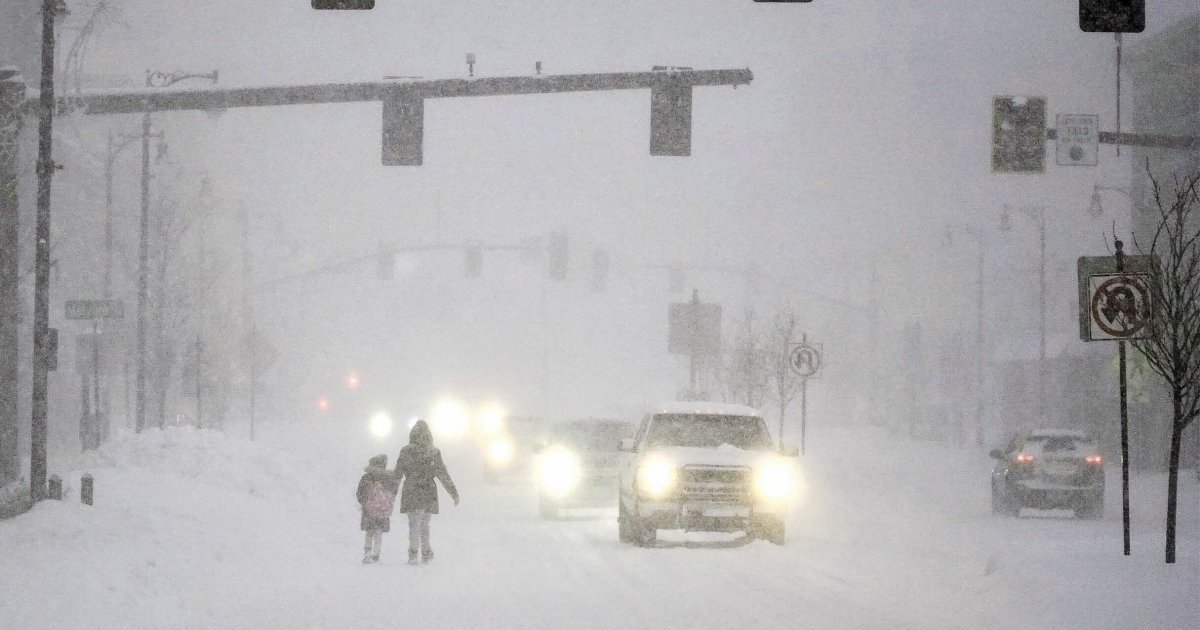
x=206, y=531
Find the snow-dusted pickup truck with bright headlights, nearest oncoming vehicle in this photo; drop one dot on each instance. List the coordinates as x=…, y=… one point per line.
x=704, y=467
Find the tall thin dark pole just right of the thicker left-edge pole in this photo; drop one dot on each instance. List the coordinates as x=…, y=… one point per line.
x=43, y=347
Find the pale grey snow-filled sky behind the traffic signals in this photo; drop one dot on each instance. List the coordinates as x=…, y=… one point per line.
x=865, y=131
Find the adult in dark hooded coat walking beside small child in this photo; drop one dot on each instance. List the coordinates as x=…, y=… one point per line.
x=418, y=466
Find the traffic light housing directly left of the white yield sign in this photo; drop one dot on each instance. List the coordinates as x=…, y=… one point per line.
x=1018, y=134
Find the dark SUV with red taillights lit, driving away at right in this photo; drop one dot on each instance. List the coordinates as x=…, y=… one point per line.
x=1049, y=469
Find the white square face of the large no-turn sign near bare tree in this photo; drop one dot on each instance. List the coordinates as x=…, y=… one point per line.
x=1120, y=305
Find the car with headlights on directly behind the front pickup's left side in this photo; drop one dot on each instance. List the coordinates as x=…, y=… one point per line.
x=578, y=465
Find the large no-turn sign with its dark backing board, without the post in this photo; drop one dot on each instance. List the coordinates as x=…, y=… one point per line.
x=1114, y=305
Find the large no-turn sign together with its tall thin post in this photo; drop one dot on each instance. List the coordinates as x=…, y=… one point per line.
x=1115, y=304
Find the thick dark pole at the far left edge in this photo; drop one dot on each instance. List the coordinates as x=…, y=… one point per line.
x=13, y=94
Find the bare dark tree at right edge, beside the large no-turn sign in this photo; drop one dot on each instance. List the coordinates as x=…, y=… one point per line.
x=1173, y=343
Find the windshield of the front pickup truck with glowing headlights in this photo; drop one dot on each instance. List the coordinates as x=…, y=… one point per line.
x=709, y=431
